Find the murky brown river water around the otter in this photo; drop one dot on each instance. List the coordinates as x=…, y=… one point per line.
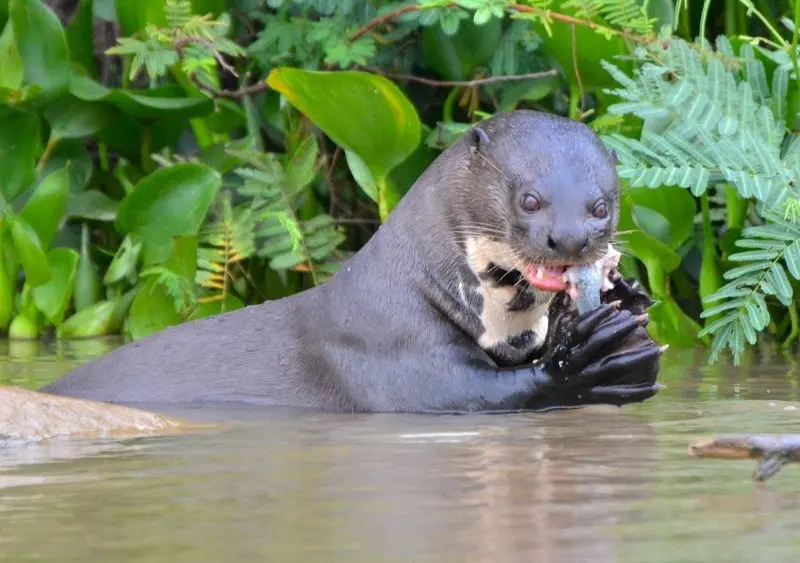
x=594, y=484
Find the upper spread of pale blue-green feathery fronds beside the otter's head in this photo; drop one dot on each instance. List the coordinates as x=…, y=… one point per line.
x=702, y=112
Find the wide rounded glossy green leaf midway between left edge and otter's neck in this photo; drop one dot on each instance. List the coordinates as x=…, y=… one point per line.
x=170, y=201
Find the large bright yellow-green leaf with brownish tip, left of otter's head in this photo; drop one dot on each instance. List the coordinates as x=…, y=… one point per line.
x=361, y=112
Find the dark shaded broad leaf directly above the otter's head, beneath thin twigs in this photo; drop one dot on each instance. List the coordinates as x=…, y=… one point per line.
x=455, y=57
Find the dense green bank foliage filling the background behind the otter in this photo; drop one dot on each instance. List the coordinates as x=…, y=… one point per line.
x=163, y=161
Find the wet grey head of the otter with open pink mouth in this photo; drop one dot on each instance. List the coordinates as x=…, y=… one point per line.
x=553, y=195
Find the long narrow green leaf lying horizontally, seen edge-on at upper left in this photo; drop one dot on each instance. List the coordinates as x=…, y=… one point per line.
x=153, y=103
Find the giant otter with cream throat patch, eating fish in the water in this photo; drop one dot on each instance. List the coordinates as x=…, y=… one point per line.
x=444, y=309
